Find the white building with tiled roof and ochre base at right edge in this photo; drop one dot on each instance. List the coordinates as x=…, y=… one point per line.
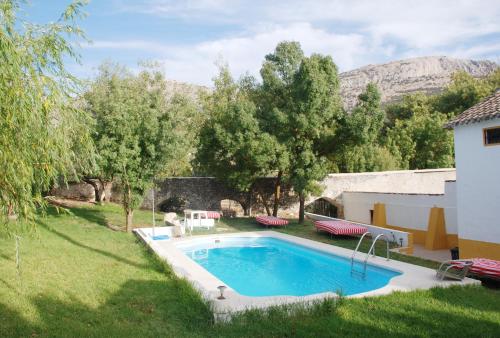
x=477, y=156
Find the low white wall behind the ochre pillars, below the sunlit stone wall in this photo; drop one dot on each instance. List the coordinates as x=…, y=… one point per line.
x=404, y=210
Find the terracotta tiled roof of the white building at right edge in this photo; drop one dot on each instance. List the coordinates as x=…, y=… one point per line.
x=487, y=109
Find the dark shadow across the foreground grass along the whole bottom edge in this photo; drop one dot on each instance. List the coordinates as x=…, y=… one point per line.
x=171, y=308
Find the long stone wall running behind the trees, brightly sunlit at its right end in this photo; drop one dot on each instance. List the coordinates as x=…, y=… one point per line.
x=206, y=193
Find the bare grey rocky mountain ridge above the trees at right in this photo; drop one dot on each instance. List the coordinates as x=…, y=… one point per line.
x=428, y=74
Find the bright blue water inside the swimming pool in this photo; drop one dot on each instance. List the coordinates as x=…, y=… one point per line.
x=267, y=266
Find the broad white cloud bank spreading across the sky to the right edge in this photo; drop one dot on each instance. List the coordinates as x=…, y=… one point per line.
x=354, y=32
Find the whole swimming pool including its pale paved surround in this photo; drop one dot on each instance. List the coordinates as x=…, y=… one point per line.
x=324, y=270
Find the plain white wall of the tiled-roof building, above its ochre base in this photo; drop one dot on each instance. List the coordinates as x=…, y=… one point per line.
x=478, y=183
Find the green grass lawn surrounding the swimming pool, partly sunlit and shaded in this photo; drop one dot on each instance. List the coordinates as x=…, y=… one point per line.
x=79, y=278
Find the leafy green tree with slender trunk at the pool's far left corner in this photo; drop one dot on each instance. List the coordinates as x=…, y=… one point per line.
x=136, y=130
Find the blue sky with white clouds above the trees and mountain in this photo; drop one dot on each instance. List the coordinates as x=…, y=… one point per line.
x=189, y=38
